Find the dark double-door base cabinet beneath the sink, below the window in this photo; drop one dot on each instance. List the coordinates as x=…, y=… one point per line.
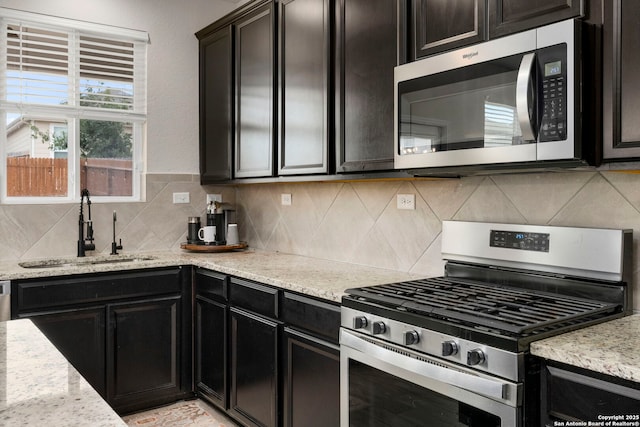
x=127, y=333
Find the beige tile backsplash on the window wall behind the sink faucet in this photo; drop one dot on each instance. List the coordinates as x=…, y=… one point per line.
x=50, y=231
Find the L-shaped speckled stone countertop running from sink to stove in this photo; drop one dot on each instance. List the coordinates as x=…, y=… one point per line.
x=311, y=276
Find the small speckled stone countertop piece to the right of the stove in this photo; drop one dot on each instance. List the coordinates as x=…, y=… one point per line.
x=611, y=348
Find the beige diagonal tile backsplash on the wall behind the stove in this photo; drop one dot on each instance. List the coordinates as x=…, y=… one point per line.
x=359, y=222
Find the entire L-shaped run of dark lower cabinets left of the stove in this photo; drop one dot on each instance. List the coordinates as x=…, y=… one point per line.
x=266, y=357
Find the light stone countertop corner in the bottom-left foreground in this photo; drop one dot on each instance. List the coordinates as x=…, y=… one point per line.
x=38, y=387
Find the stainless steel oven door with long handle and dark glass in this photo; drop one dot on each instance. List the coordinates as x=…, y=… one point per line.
x=382, y=384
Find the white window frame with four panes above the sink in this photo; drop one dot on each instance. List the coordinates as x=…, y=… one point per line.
x=74, y=113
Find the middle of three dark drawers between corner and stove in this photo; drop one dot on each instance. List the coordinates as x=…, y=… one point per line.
x=255, y=297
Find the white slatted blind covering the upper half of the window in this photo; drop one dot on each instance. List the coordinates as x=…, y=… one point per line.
x=94, y=68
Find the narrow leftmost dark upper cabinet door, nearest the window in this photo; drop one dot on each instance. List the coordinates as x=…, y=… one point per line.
x=216, y=87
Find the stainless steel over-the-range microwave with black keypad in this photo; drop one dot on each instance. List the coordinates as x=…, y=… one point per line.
x=509, y=103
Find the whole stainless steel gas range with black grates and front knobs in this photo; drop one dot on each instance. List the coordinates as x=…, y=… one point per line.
x=454, y=350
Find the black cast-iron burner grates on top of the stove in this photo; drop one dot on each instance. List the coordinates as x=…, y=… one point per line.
x=496, y=307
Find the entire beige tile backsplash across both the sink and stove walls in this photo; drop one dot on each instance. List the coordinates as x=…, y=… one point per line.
x=353, y=222
